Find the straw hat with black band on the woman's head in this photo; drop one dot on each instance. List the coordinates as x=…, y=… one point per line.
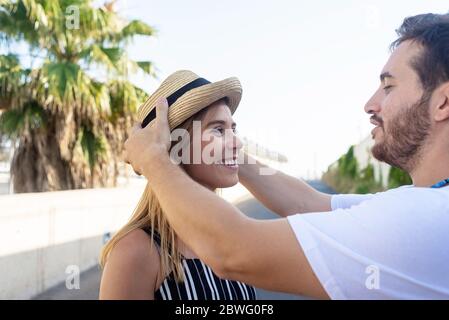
x=187, y=94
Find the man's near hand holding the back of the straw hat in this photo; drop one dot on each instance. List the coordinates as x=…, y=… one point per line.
x=145, y=146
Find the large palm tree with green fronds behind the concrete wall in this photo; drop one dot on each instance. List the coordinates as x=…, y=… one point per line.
x=70, y=109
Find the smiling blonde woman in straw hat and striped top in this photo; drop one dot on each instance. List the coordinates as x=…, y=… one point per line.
x=145, y=259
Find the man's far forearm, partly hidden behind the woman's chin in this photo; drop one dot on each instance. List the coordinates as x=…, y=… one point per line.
x=281, y=193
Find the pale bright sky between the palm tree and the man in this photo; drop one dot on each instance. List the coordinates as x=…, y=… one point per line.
x=307, y=67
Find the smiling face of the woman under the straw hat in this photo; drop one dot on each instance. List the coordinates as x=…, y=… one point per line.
x=219, y=148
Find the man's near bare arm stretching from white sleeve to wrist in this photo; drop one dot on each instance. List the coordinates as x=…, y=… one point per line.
x=263, y=253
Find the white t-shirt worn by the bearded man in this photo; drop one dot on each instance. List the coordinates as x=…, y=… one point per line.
x=388, y=245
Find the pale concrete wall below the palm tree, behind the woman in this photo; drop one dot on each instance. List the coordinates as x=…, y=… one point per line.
x=43, y=233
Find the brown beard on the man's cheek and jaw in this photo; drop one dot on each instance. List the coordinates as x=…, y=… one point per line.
x=405, y=136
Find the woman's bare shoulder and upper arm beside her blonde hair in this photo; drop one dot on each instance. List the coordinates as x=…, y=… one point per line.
x=131, y=270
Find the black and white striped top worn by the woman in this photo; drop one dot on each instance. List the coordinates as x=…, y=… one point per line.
x=200, y=283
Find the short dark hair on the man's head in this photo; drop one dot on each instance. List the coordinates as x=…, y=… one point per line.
x=431, y=31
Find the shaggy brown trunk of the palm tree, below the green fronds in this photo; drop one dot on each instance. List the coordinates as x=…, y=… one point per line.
x=49, y=158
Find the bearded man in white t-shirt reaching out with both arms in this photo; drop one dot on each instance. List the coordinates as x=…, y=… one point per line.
x=391, y=244
